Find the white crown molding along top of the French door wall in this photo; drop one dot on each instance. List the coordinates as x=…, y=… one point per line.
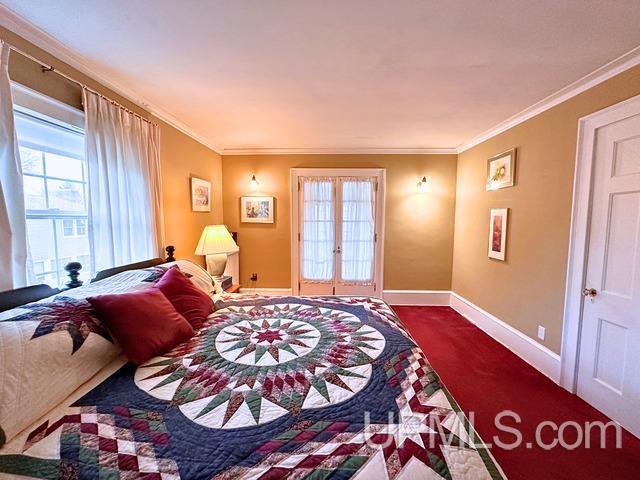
x=338, y=151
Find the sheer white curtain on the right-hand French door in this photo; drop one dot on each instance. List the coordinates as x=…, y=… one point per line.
x=358, y=230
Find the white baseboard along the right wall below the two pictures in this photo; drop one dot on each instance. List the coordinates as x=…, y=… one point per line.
x=536, y=355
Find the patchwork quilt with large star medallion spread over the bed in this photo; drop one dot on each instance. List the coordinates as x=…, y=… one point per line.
x=270, y=387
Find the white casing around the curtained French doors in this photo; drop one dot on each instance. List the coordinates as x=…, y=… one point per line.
x=295, y=174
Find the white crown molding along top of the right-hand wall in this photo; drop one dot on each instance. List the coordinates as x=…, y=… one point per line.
x=611, y=69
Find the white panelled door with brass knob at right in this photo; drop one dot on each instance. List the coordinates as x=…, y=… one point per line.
x=609, y=355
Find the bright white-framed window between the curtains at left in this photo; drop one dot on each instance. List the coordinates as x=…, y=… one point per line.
x=55, y=191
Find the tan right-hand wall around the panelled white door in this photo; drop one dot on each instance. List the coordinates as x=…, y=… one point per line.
x=528, y=289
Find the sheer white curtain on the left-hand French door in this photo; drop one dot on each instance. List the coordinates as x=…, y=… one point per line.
x=318, y=229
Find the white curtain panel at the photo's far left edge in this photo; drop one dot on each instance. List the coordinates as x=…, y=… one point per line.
x=13, y=236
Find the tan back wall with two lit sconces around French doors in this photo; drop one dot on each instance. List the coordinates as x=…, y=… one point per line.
x=419, y=227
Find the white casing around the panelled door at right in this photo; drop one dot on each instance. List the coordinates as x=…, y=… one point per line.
x=579, y=233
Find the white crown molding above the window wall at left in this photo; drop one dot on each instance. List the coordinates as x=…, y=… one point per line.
x=25, y=29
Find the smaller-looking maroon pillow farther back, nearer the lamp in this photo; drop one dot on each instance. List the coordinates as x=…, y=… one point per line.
x=191, y=302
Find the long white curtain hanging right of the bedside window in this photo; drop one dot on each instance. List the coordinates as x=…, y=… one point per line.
x=125, y=193
